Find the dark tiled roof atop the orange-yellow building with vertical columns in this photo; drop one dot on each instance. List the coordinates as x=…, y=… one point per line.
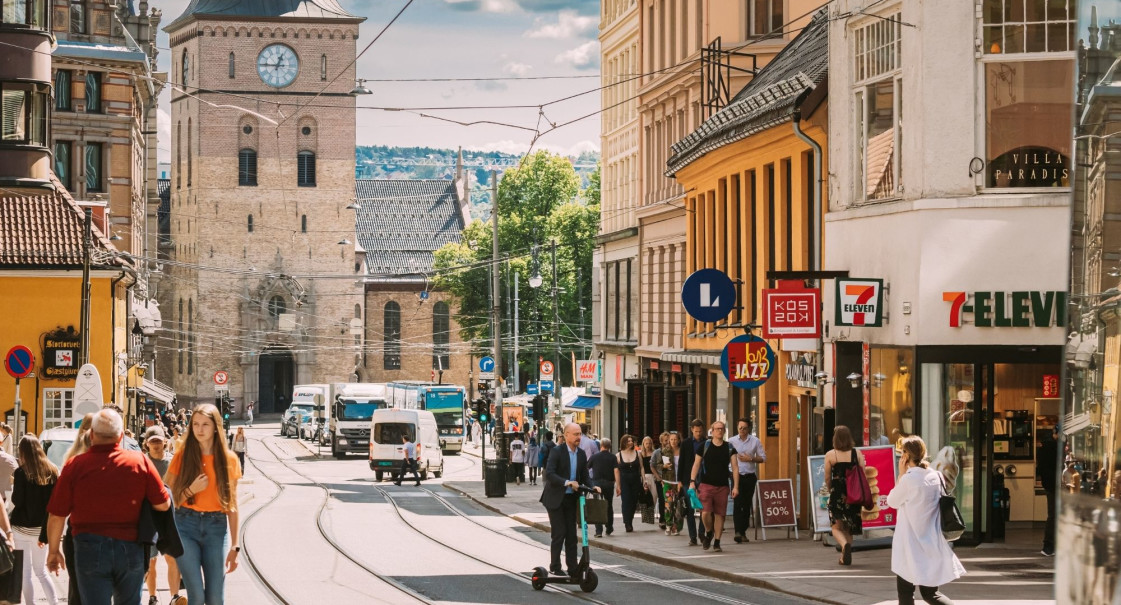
x=771, y=99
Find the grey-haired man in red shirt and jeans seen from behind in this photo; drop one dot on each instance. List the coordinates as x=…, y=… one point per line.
x=101, y=491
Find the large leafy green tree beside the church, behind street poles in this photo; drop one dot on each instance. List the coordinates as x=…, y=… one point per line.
x=540, y=202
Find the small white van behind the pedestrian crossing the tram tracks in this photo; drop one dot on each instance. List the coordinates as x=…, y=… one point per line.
x=387, y=450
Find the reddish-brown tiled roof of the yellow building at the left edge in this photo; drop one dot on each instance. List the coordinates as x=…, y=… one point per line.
x=45, y=231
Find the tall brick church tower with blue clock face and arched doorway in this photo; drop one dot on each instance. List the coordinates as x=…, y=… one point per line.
x=263, y=280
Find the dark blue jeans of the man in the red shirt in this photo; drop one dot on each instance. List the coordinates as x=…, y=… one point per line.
x=109, y=571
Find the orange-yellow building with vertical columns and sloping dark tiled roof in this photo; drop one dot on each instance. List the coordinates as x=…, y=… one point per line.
x=753, y=207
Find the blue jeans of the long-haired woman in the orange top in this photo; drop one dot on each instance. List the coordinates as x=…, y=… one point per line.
x=206, y=544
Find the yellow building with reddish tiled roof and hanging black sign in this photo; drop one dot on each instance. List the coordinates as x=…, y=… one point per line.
x=41, y=277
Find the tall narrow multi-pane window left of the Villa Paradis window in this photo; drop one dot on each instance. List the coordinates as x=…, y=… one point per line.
x=877, y=108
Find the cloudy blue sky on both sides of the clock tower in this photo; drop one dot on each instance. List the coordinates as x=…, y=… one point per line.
x=468, y=39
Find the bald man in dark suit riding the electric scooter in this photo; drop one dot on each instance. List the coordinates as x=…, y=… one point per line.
x=566, y=471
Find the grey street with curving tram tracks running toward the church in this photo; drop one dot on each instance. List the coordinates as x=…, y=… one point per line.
x=335, y=535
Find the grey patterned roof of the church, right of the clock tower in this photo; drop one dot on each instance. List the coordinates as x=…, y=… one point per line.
x=402, y=224
